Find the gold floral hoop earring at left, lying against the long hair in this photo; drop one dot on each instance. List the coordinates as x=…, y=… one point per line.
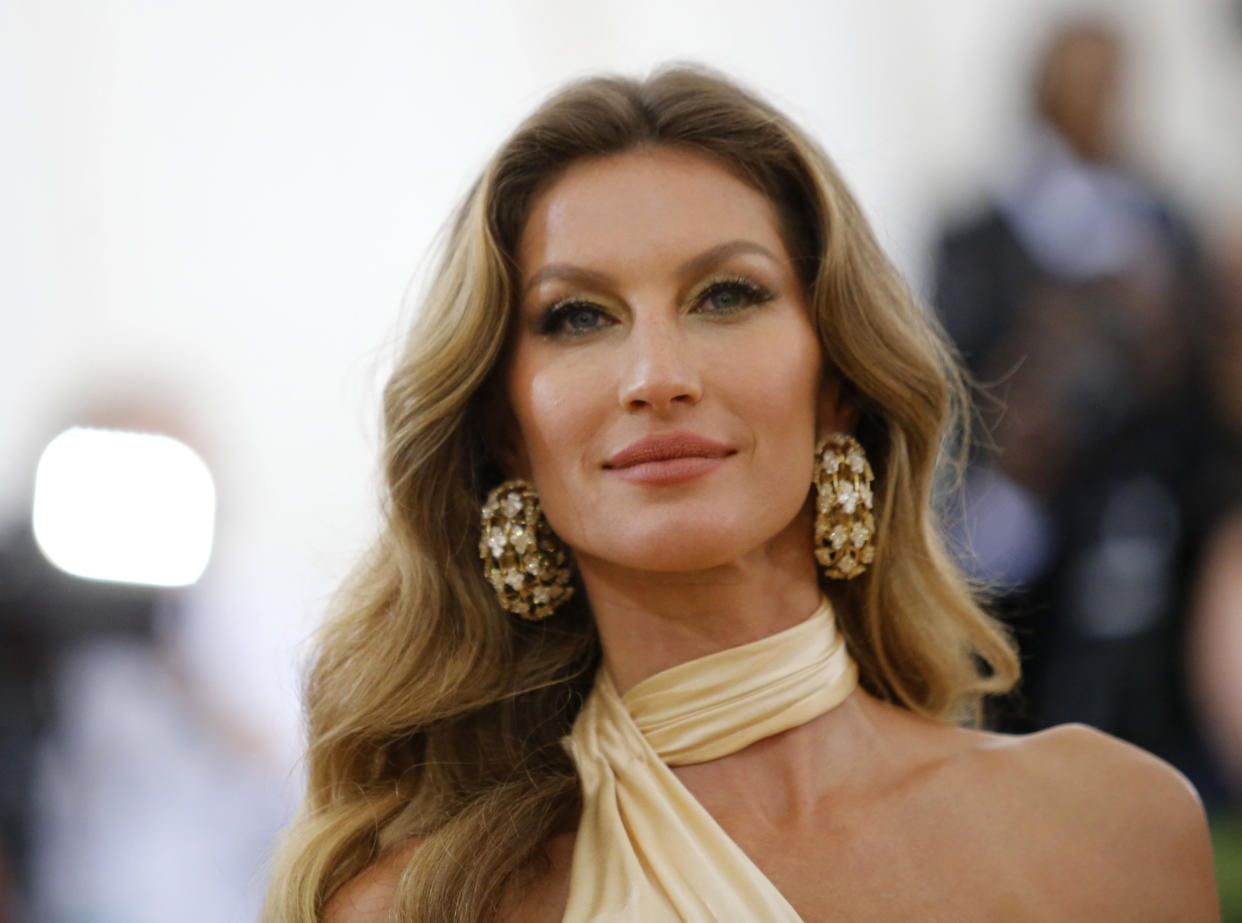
x=524, y=558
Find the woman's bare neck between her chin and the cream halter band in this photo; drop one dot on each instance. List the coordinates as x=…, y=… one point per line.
x=654, y=621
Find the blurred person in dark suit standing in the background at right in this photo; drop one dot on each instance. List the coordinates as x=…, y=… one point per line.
x=1080, y=301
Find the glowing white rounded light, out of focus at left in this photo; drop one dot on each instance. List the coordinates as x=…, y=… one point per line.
x=126, y=507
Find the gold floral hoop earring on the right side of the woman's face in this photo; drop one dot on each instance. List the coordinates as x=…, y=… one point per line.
x=845, y=526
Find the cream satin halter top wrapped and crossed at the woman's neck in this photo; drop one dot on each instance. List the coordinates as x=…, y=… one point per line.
x=648, y=852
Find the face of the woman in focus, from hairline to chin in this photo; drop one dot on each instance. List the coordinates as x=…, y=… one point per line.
x=664, y=371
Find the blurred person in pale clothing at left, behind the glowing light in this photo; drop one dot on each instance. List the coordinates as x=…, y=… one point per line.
x=141, y=782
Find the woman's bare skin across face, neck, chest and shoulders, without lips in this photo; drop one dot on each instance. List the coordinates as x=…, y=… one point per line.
x=659, y=298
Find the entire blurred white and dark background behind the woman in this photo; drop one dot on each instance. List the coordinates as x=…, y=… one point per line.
x=212, y=214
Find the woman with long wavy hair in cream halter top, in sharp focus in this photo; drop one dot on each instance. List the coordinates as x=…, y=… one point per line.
x=691, y=688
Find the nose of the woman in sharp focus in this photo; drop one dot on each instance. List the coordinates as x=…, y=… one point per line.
x=661, y=372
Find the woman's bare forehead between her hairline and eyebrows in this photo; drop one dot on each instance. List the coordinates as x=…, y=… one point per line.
x=644, y=204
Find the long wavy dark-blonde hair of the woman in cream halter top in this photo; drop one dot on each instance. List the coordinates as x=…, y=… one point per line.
x=432, y=712
